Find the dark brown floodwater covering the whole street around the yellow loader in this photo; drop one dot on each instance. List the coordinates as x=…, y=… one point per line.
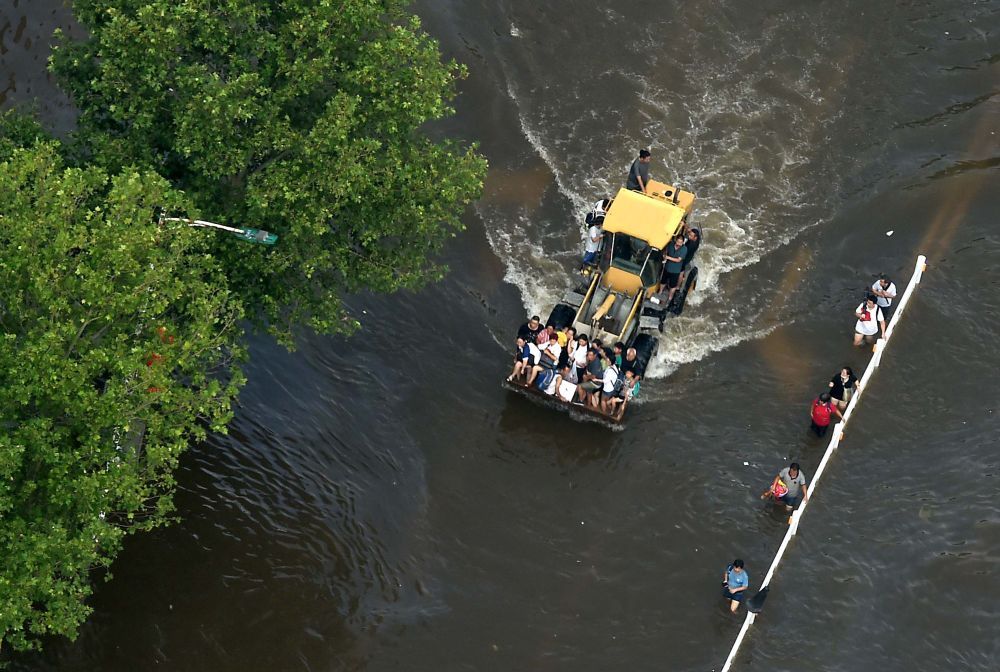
x=382, y=504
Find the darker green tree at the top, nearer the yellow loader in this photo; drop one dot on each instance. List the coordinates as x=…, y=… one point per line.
x=304, y=117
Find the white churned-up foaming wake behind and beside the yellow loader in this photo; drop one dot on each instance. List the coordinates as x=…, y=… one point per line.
x=725, y=152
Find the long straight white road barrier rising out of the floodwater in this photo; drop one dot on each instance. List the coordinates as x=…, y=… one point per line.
x=838, y=436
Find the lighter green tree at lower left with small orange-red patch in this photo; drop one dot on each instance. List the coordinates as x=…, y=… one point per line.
x=118, y=343
